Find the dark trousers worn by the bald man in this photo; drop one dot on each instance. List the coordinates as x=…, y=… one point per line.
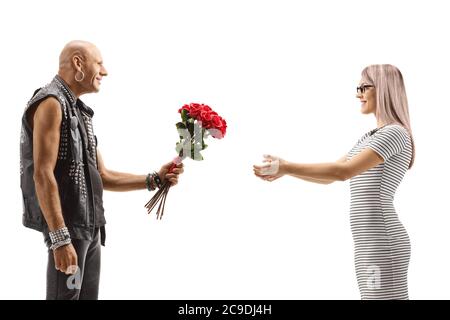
x=84, y=284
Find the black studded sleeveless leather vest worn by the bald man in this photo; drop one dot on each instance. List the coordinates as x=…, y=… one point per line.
x=79, y=182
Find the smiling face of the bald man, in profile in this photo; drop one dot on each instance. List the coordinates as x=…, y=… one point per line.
x=94, y=70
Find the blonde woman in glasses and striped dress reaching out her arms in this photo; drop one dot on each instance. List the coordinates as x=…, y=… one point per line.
x=375, y=166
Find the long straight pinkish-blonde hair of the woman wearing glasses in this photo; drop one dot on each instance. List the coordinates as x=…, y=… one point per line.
x=392, y=103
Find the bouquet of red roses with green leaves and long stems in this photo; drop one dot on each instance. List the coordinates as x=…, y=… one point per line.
x=198, y=121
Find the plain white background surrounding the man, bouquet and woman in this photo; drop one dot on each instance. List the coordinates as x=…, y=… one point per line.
x=283, y=73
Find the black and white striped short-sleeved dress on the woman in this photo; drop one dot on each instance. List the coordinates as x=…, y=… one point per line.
x=382, y=247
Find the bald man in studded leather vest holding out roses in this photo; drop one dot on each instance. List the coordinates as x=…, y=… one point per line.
x=63, y=174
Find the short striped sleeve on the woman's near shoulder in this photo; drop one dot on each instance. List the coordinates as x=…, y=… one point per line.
x=389, y=141
